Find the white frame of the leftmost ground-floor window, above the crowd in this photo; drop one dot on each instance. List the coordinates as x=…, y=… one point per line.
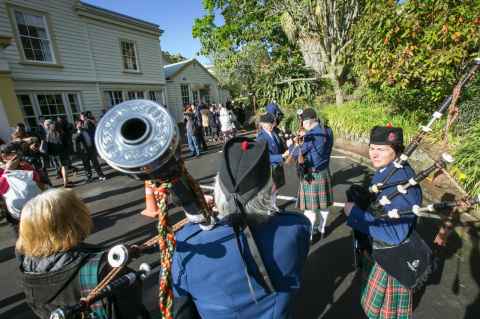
x=36, y=105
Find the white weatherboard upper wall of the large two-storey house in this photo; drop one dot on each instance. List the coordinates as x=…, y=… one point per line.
x=89, y=58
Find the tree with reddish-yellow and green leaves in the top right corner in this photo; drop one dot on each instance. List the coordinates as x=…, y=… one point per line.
x=414, y=52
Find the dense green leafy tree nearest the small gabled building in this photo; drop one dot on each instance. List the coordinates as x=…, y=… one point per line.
x=251, y=53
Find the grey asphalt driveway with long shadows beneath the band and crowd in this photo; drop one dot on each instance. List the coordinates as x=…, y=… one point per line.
x=330, y=286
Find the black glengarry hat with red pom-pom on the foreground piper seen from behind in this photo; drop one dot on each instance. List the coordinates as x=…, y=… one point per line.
x=245, y=168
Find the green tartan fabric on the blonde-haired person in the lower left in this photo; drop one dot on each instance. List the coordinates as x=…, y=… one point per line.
x=89, y=274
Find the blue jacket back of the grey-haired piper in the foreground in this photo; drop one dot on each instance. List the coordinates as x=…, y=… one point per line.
x=208, y=267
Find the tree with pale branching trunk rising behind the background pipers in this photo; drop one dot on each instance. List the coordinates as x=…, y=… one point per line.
x=322, y=31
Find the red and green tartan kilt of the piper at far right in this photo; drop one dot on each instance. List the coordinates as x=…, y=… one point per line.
x=383, y=297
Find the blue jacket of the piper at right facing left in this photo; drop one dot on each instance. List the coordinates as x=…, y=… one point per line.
x=391, y=231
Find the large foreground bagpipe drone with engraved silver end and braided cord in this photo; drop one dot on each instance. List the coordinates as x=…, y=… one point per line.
x=141, y=139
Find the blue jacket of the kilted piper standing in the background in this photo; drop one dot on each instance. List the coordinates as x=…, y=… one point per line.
x=316, y=148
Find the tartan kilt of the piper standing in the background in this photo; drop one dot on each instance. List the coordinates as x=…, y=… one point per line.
x=316, y=193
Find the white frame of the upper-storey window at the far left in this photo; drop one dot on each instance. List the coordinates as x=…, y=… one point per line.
x=45, y=19
